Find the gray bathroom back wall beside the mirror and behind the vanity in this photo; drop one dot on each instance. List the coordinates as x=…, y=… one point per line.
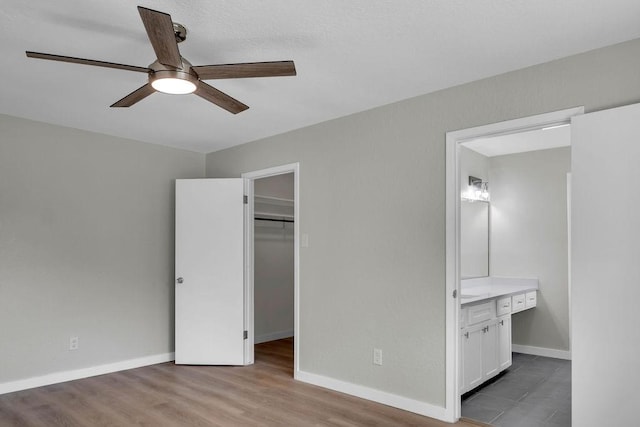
x=529, y=239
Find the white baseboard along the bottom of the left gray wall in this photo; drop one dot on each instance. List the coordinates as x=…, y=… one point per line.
x=76, y=374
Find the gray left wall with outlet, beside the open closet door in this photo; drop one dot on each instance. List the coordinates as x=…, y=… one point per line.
x=86, y=247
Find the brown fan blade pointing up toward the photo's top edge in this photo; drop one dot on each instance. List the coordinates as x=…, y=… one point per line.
x=161, y=35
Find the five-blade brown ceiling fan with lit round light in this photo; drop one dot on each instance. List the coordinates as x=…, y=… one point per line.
x=173, y=74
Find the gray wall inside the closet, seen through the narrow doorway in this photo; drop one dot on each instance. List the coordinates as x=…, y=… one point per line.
x=273, y=264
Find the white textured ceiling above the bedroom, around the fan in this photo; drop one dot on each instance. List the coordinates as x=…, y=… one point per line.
x=350, y=56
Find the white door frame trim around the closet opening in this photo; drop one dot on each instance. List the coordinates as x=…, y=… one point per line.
x=249, y=178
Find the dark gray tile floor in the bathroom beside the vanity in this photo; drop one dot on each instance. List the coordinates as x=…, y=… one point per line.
x=535, y=391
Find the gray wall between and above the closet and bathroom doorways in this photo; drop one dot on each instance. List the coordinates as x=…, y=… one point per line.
x=373, y=203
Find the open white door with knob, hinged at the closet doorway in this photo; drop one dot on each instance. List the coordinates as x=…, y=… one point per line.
x=209, y=261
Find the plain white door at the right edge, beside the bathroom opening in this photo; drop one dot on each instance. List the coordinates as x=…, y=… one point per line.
x=605, y=269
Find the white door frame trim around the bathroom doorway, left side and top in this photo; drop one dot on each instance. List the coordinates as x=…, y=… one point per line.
x=452, y=232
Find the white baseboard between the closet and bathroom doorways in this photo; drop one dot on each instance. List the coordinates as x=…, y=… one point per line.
x=372, y=394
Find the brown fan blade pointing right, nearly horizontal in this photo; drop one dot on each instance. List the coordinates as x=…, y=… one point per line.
x=247, y=69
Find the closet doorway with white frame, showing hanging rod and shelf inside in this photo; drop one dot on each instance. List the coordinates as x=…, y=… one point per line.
x=272, y=257
